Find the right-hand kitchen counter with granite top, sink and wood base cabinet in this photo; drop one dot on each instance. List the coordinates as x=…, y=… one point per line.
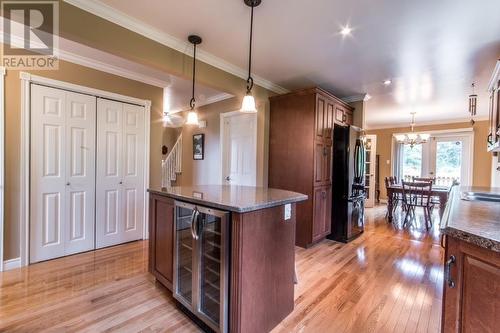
x=471, y=291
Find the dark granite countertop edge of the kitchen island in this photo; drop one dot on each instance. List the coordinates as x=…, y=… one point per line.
x=234, y=209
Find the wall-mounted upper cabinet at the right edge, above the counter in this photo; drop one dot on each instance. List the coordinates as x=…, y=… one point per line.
x=494, y=111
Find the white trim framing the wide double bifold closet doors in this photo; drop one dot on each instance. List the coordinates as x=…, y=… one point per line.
x=26, y=80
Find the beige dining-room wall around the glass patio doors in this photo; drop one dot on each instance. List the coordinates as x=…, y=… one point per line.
x=482, y=159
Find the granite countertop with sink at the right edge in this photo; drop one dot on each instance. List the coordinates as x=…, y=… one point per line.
x=476, y=222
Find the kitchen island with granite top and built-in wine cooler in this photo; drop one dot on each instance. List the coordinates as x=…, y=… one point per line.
x=227, y=253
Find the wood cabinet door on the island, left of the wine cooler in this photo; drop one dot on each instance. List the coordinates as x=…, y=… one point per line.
x=161, y=238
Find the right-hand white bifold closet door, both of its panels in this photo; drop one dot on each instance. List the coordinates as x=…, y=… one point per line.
x=120, y=173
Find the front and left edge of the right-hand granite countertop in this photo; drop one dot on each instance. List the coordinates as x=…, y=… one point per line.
x=483, y=242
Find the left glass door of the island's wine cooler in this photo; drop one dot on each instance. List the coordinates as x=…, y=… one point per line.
x=184, y=254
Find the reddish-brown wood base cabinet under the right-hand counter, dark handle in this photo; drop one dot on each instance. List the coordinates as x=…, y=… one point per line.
x=471, y=301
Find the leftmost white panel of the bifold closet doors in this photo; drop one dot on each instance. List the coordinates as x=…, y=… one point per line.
x=47, y=173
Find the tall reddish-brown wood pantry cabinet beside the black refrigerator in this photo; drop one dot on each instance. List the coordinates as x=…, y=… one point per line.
x=301, y=155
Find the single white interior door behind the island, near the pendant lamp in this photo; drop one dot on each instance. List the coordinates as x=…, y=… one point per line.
x=239, y=149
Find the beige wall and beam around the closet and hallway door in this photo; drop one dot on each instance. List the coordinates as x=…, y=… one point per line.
x=93, y=31
